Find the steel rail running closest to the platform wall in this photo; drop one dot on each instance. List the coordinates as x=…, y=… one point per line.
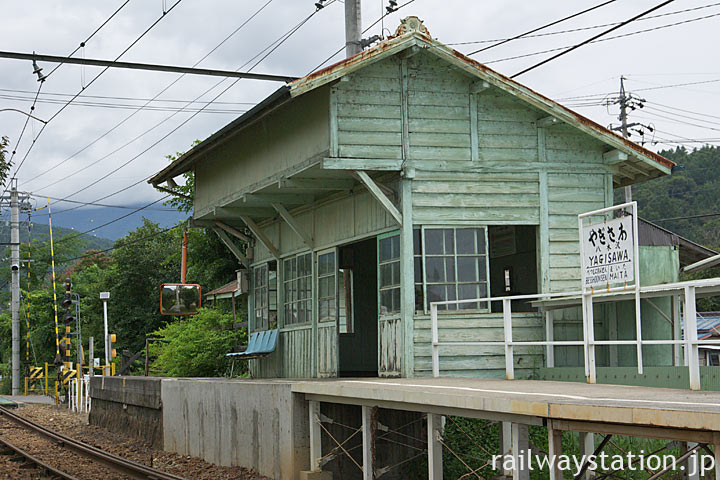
x=122, y=465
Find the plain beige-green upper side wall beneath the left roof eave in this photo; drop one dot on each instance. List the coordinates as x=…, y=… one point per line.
x=291, y=136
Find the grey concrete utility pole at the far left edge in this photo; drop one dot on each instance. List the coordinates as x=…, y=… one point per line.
x=15, y=284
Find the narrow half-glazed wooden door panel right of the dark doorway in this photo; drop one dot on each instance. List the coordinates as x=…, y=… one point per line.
x=390, y=333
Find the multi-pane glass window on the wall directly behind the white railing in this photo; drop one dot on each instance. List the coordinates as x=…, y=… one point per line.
x=455, y=266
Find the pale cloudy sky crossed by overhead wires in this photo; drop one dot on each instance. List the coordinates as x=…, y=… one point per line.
x=672, y=67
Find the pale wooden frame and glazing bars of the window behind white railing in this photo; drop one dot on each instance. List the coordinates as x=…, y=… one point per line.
x=423, y=256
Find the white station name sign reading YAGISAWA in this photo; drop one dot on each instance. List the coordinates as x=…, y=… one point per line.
x=608, y=253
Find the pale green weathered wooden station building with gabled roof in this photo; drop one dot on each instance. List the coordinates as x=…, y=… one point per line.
x=404, y=175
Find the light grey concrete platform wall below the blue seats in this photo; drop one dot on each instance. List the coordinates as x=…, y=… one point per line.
x=258, y=424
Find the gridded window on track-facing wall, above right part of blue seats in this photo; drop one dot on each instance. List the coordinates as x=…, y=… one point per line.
x=297, y=282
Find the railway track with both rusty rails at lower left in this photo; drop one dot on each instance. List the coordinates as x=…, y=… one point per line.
x=119, y=464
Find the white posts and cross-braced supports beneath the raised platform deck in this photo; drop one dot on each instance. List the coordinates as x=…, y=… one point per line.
x=514, y=437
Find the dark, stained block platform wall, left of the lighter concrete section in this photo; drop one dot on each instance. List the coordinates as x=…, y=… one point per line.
x=131, y=405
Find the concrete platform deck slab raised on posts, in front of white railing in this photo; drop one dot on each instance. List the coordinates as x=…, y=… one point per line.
x=626, y=410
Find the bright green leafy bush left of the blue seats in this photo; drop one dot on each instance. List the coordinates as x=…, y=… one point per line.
x=195, y=346
